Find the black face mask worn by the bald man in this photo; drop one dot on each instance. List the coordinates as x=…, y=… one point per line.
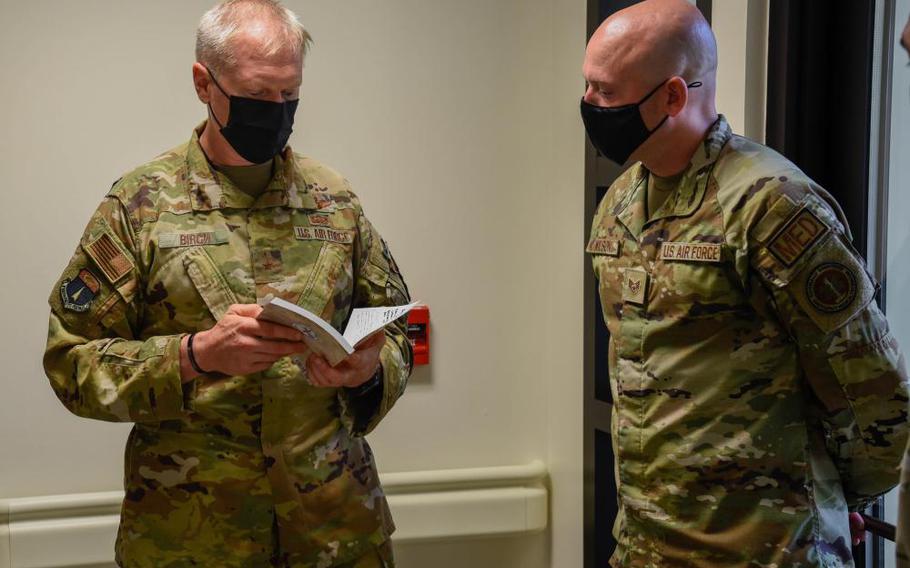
x=616, y=132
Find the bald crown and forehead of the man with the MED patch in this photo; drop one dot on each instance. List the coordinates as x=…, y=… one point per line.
x=652, y=41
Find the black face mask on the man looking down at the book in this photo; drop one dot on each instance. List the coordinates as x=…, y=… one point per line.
x=258, y=130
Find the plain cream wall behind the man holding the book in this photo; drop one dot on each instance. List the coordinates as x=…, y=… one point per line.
x=457, y=124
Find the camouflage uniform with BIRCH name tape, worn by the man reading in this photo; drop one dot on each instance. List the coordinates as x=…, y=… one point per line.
x=230, y=471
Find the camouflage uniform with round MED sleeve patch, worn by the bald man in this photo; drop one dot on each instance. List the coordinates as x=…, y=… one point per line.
x=758, y=394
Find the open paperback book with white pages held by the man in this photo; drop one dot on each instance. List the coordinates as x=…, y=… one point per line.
x=321, y=337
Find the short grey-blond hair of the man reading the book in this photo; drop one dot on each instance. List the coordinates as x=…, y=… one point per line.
x=219, y=25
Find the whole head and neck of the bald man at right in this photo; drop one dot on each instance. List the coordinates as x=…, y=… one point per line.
x=661, y=57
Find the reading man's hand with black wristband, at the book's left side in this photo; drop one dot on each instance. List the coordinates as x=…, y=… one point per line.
x=239, y=344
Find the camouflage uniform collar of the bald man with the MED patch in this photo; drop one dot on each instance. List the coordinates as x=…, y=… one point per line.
x=687, y=197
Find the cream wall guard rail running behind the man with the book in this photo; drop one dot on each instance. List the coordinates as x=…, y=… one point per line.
x=78, y=530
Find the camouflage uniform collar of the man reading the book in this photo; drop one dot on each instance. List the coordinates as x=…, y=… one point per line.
x=209, y=189
